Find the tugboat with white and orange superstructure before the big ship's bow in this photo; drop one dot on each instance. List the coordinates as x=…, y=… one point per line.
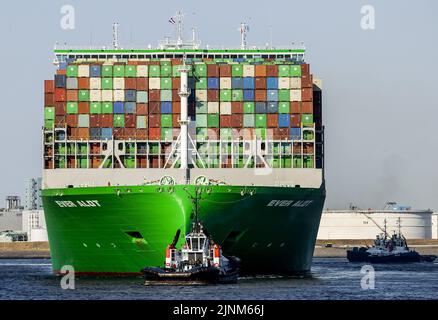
x=200, y=261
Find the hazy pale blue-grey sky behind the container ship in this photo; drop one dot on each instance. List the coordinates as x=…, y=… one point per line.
x=380, y=86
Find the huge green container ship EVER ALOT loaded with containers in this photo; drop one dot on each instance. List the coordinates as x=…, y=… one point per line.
x=132, y=137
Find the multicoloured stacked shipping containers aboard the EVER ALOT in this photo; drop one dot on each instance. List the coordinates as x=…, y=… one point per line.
x=89, y=103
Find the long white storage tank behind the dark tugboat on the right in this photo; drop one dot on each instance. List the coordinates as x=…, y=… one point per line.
x=366, y=224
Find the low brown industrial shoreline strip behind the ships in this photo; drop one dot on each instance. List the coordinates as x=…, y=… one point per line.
x=335, y=249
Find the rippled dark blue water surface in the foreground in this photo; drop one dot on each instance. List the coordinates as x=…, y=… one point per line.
x=331, y=278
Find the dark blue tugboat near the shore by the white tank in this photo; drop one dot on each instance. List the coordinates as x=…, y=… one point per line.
x=388, y=250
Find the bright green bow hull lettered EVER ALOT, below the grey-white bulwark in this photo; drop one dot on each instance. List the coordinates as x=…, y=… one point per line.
x=120, y=230
